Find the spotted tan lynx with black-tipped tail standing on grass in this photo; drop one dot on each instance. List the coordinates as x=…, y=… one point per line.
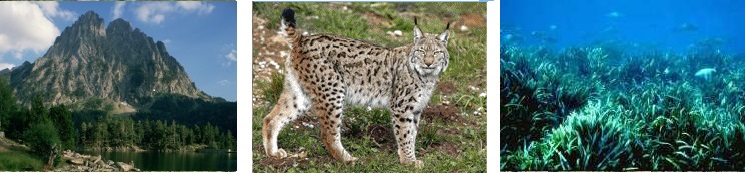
x=325, y=72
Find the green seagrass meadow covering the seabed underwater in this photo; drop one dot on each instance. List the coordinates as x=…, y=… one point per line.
x=601, y=108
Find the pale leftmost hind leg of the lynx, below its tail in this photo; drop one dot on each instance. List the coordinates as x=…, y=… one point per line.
x=289, y=106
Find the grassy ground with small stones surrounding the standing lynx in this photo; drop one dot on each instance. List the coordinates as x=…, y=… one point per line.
x=452, y=135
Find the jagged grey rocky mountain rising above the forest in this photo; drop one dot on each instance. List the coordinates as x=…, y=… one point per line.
x=90, y=61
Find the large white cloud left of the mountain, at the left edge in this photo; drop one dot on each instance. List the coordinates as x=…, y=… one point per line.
x=26, y=26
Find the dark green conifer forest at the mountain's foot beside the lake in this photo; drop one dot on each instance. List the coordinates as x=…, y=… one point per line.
x=47, y=129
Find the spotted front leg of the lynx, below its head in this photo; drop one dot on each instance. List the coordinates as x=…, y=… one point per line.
x=405, y=128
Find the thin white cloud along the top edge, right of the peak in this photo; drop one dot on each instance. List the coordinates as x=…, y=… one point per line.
x=156, y=12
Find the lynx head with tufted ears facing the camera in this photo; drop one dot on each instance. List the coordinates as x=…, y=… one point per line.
x=429, y=54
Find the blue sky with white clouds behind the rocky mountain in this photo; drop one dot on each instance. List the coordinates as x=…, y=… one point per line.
x=200, y=35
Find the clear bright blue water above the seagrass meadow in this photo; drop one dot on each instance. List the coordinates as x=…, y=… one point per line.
x=667, y=25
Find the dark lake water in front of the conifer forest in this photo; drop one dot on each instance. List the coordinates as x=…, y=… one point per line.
x=173, y=161
